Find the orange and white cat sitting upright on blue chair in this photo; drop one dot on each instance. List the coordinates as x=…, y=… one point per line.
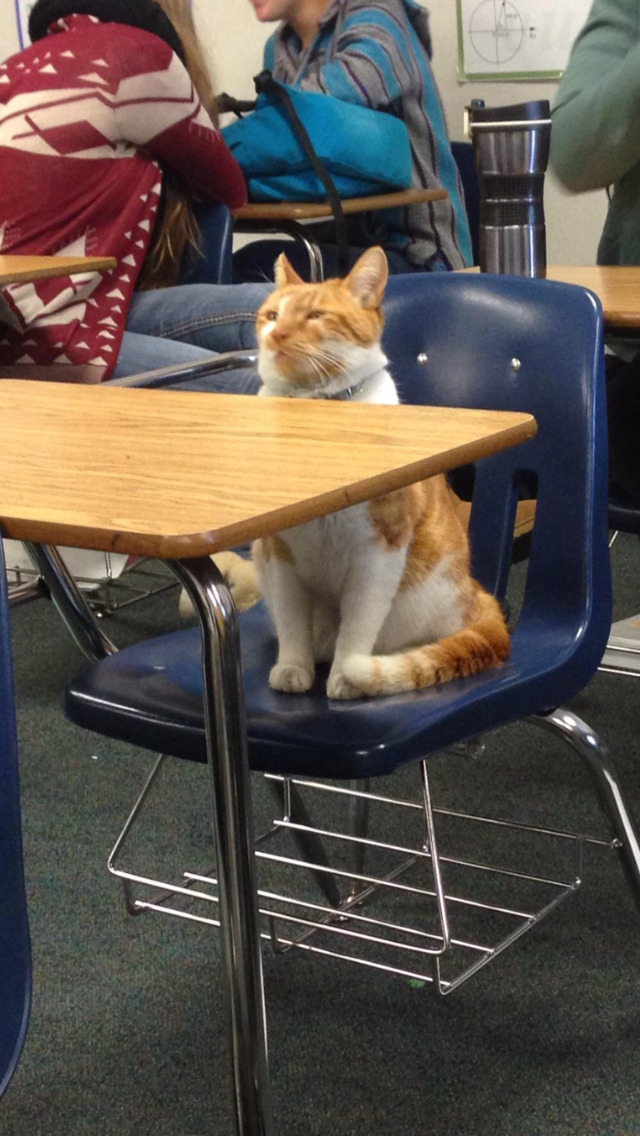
x=381, y=591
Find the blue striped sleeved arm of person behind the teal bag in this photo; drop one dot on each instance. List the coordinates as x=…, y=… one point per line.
x=370, y=65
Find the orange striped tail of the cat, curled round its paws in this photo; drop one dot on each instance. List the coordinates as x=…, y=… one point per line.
x=483, y=645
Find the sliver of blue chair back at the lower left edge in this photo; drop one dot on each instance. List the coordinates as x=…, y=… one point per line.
x=15, y=953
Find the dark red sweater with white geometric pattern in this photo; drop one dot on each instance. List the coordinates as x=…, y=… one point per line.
x=88, y=115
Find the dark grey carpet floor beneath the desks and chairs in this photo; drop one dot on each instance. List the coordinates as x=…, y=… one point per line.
x=128, y=1034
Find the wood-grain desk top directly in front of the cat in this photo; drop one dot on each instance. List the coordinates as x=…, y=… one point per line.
x=182, y=474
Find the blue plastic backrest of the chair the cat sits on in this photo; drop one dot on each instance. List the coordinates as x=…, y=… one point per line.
x=511, y=344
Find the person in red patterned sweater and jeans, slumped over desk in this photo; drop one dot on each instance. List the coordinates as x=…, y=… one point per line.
x=107, y=136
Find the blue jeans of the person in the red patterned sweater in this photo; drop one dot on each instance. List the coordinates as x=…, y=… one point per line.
x=188, y=323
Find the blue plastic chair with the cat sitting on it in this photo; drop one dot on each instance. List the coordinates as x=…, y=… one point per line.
x=454, y=340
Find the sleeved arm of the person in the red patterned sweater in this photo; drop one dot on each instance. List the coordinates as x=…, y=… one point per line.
x=159, y=110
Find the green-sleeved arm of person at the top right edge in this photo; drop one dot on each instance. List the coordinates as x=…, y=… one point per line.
x=596, y=118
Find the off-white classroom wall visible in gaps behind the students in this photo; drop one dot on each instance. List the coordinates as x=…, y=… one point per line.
x=235, y=40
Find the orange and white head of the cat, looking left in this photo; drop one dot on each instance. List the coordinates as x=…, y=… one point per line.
x=318, y=340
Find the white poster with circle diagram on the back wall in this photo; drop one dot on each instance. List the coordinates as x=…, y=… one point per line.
x=518, y=39
